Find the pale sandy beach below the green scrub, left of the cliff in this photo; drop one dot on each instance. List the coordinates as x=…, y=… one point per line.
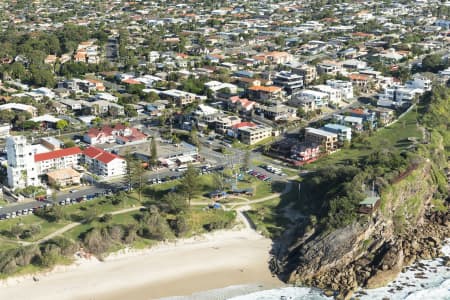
x=212, y=261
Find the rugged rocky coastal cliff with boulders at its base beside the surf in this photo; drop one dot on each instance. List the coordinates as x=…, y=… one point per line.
x=371, y=251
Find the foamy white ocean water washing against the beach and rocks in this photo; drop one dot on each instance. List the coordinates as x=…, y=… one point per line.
x=434, y=285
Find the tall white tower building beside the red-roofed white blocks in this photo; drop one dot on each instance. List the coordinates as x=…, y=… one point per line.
x=22, y=169
